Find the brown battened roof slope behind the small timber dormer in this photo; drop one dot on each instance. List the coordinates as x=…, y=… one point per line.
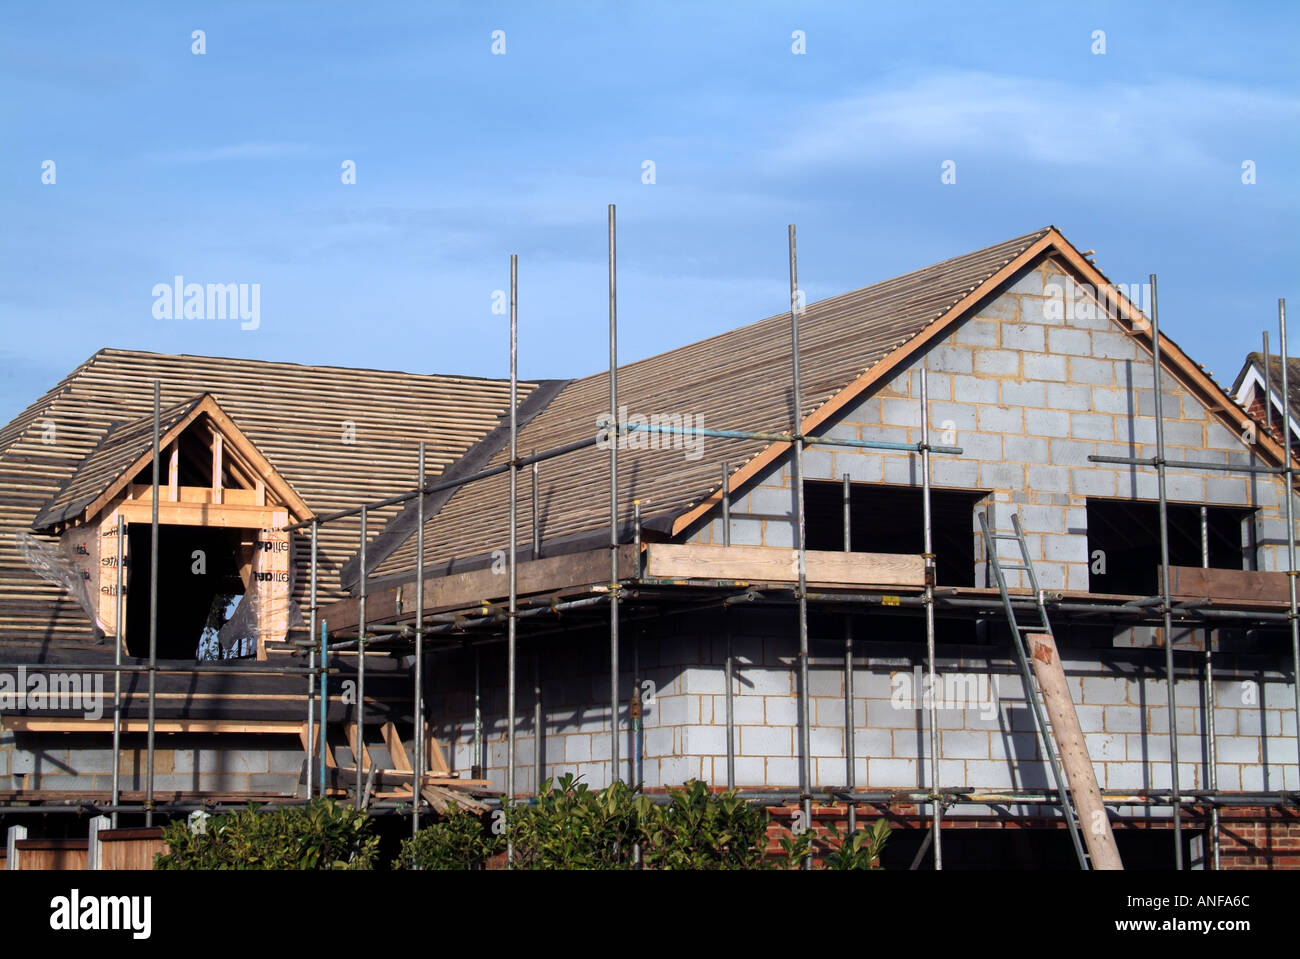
x=300, y=418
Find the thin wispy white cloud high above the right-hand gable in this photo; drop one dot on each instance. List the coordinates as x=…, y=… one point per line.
x=969, y=114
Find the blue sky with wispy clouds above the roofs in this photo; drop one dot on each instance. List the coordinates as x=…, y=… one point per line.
x=227, y=168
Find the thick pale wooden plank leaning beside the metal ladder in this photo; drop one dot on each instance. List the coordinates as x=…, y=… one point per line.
x=1074, y=753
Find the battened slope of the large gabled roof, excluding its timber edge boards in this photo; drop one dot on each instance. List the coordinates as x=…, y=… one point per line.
x=738, y=380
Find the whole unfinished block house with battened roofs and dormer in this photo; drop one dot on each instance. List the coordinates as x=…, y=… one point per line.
x=976, y=549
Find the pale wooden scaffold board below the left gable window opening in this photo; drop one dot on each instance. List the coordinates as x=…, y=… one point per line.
x=768, y=565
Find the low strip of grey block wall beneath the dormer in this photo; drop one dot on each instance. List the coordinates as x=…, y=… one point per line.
x=79, y=763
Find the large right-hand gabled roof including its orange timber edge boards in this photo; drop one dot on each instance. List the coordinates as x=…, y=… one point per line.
x=740, y=380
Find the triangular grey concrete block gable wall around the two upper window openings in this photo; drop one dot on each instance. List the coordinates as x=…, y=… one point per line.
x=1030, y=390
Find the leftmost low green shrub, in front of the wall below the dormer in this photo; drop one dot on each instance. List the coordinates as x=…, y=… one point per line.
x=323, y=835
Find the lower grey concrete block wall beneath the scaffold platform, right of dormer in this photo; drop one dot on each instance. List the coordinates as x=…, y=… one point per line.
x=987, y=735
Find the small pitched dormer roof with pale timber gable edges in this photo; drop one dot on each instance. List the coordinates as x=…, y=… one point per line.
x=75, y=505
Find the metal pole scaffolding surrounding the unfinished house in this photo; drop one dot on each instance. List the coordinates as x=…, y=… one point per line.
x=475, y=632
